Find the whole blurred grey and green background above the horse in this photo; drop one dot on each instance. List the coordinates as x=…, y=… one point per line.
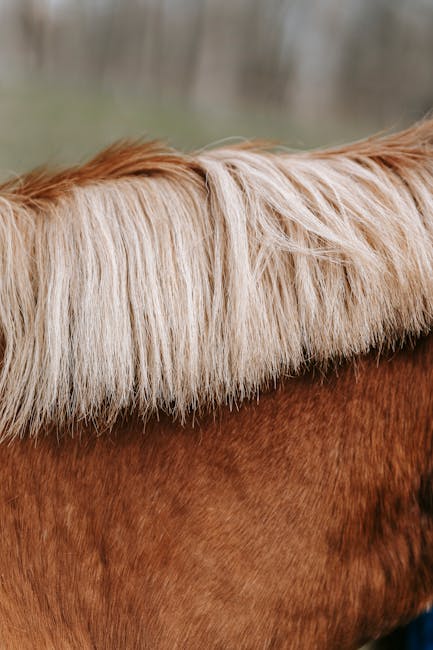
x=77, y=74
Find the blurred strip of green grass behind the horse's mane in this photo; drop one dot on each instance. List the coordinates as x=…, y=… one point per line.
x=42, y=123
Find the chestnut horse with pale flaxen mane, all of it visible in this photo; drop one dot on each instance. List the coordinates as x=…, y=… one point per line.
x=215, y=397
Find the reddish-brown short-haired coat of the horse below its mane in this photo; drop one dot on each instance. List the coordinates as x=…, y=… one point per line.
x=251, y=529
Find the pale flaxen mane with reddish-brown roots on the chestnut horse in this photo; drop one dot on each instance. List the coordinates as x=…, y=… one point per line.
x=151, y=280
